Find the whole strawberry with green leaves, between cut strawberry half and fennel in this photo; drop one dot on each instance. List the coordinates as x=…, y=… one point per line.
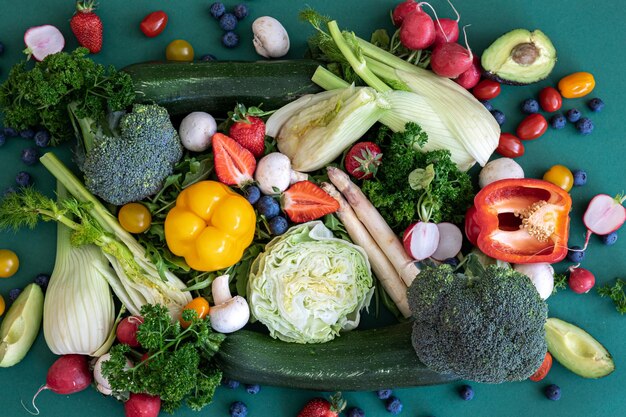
x=248, y=129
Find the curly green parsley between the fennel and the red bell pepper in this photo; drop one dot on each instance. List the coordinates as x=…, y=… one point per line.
x=412, y=184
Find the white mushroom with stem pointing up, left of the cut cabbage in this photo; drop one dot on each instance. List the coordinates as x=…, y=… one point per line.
x=229, y=313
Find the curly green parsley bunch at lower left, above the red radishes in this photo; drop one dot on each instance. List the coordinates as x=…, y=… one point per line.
x=178, y=367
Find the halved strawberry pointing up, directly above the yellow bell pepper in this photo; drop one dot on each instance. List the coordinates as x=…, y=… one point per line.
x=234, y=165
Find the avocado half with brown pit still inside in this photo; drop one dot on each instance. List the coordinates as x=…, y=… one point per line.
x=519, y=57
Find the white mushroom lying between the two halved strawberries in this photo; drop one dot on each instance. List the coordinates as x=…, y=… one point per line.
x=274, y=174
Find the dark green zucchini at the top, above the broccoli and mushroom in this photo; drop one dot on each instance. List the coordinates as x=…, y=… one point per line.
x=216, y=87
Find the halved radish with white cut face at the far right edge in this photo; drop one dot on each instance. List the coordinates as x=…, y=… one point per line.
x=604, y=214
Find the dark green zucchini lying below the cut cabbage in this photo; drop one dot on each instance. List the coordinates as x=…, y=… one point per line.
x=360, y=360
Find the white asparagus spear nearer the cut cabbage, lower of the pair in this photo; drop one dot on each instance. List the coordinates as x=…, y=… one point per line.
x=389, y=278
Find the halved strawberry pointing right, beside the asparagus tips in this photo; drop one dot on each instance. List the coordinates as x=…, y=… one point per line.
x=305, y=201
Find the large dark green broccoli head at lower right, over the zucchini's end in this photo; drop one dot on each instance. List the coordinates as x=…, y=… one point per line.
x=488, y=328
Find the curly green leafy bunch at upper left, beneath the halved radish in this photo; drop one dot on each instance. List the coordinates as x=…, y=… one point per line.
x=40, y=96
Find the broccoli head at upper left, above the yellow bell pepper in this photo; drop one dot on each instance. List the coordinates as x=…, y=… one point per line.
x=133, y=165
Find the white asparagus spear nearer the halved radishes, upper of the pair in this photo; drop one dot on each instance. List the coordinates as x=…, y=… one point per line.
x=376, y=225
